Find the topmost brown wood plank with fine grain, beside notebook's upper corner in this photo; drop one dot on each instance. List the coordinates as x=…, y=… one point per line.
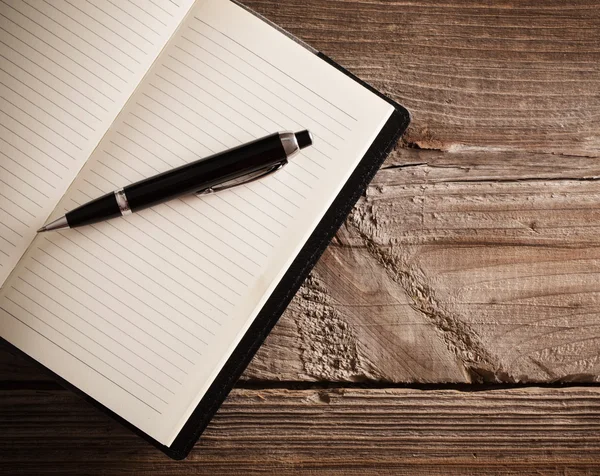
x=510, y=75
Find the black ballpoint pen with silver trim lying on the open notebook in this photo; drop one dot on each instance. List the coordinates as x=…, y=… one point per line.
x=227, y=169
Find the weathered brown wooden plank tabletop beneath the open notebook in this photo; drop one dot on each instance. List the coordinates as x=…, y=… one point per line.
x=453, y=327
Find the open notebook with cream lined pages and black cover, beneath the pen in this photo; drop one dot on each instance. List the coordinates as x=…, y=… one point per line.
x=154, y=316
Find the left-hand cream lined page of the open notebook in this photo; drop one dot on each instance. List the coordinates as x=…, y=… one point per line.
x=66, y=69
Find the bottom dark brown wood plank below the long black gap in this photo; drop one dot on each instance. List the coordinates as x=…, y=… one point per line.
x=345, y=431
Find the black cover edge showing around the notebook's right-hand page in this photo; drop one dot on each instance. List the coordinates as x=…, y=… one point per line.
x=284, y=292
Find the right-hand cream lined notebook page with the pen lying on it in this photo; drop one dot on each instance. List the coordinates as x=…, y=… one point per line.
x=142, y=312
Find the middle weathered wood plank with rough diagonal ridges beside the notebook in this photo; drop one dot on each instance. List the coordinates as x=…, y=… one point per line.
x=437, y=278
